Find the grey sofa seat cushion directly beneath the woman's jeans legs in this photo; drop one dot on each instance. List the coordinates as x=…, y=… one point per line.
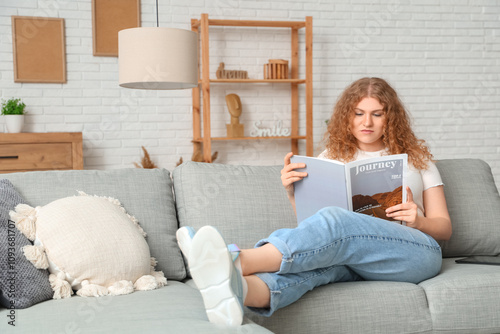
x=354, y=307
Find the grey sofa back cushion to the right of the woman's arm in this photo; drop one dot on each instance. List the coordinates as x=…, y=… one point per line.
x=474, y=207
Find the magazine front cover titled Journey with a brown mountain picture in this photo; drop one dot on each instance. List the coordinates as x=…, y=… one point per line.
x=376, y=184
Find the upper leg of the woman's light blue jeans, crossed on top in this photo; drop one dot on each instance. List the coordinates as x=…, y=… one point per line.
x=374, y=248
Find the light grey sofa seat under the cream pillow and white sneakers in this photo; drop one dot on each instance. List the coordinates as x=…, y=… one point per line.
x=176, y=308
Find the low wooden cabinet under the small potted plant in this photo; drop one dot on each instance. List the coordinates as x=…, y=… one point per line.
x=21, y=152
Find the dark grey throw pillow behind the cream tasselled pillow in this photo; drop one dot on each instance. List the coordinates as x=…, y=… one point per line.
x=21, y=284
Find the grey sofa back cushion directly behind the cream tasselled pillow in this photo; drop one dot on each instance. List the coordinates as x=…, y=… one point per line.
x=146, y=193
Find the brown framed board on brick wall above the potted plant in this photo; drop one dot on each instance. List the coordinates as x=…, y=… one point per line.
x=39, y=49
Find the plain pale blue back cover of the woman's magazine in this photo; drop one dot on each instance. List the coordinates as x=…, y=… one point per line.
x=325, y=185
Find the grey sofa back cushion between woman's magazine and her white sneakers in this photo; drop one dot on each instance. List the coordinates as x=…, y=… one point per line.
x=246, y=203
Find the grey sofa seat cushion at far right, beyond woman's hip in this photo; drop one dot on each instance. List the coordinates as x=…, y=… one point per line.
x=464, y=298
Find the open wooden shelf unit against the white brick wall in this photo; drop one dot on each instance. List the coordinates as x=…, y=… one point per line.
x=202, y=139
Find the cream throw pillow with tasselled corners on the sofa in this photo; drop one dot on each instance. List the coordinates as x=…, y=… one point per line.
x=89, y=244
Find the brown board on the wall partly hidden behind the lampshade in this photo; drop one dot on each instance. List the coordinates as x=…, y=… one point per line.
x=109, y=17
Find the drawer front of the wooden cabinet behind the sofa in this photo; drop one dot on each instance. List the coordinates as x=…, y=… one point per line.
x=46, y=156
